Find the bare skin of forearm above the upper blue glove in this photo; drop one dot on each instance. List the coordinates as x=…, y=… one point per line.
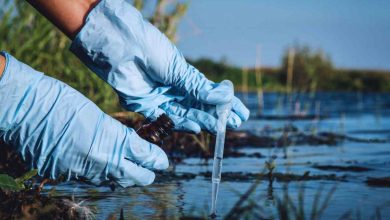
x=67, y=15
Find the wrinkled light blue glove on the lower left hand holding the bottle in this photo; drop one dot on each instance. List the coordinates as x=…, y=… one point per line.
x=59, y=131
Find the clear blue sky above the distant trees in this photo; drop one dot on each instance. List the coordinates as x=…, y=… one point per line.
x=354, y=33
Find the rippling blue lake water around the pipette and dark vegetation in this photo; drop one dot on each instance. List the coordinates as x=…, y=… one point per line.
x=359, y=115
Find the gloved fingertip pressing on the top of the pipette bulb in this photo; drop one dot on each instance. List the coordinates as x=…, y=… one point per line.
x=220, y=93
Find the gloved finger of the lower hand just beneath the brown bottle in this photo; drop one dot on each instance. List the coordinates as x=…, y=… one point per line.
x=145, y=154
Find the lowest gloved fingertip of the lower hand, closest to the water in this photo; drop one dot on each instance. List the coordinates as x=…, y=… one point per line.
x=129, y=173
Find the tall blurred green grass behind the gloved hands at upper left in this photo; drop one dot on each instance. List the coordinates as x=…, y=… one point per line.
x=32, y=39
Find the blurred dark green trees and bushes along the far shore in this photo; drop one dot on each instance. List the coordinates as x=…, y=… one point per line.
x=311, y=71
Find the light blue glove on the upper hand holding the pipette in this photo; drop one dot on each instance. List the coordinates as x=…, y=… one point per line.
x=148, y=72
